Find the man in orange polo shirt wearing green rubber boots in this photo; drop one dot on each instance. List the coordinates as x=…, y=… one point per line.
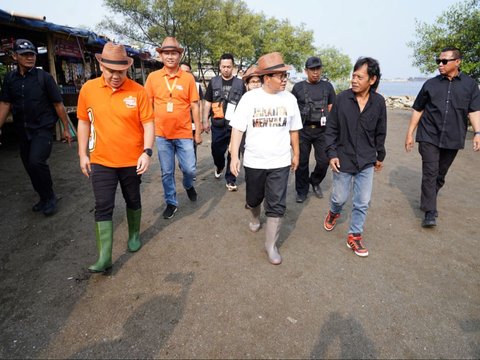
x=115, y=139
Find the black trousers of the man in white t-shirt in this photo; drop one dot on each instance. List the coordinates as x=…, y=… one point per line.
x=270, y=185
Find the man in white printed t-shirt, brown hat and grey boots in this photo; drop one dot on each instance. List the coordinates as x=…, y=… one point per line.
x=271, y=119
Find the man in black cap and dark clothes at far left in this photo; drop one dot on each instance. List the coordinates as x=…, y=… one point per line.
x=36, y=103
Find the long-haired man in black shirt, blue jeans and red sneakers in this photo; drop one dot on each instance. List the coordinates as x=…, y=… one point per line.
x=355, y=143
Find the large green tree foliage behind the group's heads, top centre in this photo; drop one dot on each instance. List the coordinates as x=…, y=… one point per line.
x=209, y=28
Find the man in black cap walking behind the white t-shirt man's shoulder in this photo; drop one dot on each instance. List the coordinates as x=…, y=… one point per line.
x=315, y=99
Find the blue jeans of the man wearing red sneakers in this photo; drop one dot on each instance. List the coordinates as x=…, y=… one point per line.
x=362, y=191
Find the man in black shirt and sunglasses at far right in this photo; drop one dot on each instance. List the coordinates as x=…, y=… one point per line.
x=441, y=111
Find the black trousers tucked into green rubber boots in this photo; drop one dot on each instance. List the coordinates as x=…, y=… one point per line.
x=104, y=183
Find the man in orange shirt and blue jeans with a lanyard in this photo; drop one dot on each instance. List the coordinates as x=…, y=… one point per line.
x=173, y=93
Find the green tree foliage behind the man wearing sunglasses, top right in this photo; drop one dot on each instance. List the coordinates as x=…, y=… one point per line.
x=458, y=26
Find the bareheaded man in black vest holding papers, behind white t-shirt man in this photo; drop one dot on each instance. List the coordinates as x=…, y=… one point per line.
x=222, y=96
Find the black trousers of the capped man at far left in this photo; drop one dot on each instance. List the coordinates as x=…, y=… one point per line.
x=35, y=149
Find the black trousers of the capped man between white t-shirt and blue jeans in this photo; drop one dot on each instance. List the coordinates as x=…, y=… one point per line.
x=311, y=137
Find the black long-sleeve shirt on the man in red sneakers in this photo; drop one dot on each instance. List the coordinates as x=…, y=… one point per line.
x=356, y=138
